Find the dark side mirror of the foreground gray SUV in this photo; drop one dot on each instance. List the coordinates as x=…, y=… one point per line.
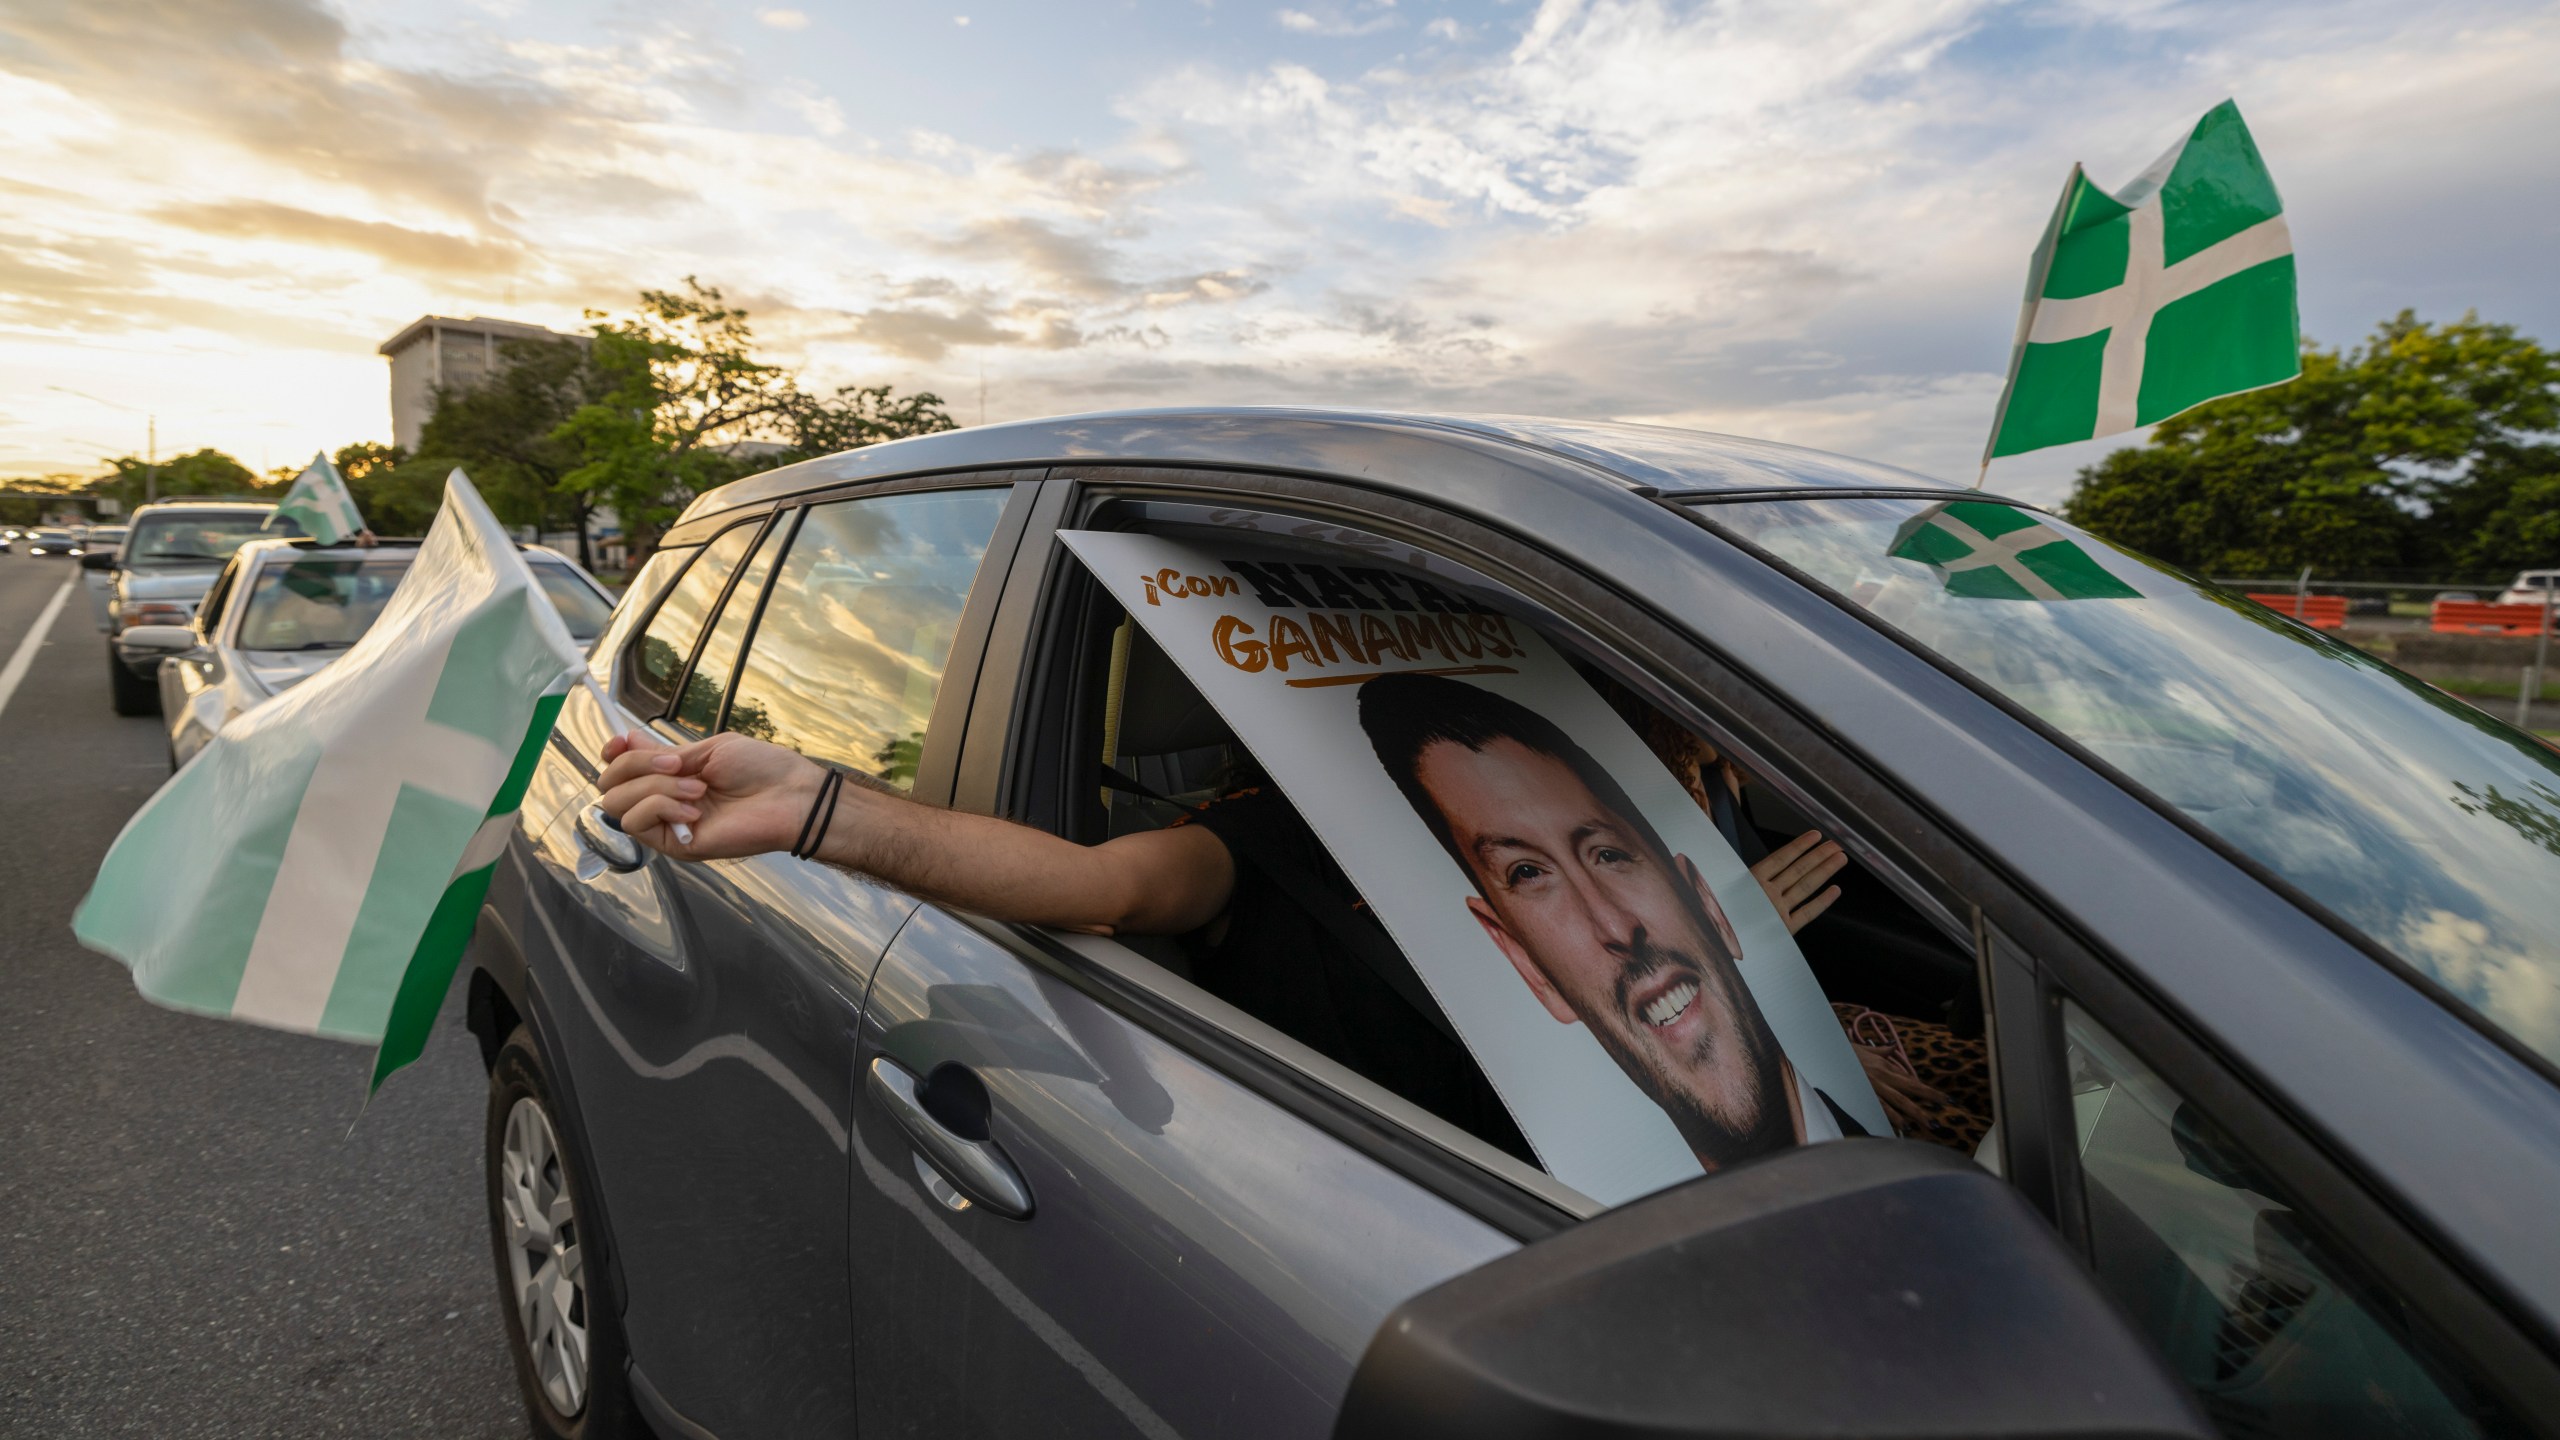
x=1847, y=1290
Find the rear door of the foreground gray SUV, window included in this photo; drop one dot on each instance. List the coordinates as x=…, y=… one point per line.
x=716, y=1001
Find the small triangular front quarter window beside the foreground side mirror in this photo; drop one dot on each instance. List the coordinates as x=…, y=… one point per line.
x=2277, y=1329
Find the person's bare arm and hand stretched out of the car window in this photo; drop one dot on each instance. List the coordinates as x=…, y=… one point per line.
x=746, y=798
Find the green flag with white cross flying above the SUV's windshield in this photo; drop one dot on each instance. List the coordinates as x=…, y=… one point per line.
x=2157, y=299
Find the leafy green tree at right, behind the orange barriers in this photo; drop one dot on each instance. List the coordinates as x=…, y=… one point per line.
x=2420, y=450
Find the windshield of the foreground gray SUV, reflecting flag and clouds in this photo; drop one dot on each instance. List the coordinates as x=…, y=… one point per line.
x=2403, y=811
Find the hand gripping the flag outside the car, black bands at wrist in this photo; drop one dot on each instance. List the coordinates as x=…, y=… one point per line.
x=741, y=796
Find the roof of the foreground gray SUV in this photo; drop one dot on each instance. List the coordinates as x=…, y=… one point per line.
x=1350, y=447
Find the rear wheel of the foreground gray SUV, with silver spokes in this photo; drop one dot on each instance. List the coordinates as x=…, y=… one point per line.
x=534, y=1170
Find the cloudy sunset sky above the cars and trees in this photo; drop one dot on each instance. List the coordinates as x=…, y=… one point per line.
x=1804, y=222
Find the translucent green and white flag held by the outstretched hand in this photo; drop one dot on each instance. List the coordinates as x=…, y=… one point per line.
x=319, y=867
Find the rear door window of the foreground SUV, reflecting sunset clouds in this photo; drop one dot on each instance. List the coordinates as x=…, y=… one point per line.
x=849, y=655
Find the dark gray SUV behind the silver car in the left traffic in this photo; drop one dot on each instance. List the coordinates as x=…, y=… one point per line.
x=163, y=575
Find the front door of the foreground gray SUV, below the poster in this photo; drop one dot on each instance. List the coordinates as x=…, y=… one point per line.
x=1097, y=1200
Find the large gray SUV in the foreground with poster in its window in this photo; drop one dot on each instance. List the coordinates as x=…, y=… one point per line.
x=2252, y=929
